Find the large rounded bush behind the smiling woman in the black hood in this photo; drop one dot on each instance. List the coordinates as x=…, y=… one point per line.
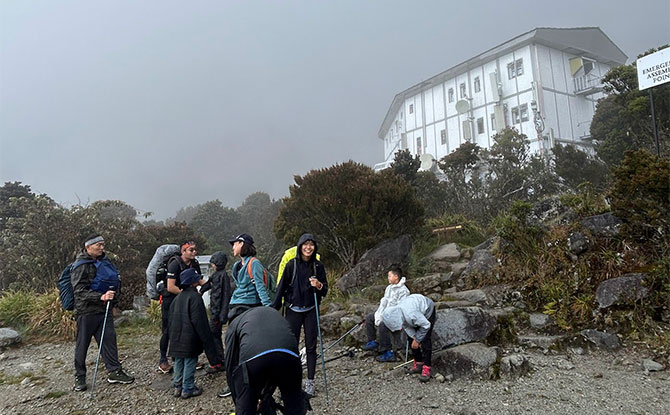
x=350, y=208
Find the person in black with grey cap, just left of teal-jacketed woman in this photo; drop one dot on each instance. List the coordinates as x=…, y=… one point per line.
x=219, y=300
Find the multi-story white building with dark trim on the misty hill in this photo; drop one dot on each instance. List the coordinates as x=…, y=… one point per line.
x=545, y=83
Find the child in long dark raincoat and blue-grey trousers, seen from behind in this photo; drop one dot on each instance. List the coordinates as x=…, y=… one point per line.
x=189, y=334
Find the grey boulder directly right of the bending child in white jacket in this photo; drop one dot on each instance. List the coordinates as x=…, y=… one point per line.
x=462, y=325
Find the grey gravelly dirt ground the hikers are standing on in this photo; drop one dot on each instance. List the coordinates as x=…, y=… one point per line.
x=560, y=384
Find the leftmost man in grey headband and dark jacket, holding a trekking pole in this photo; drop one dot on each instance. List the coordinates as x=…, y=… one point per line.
x=90, y=309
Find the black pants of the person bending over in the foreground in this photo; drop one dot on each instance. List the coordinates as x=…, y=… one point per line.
x=272, y=370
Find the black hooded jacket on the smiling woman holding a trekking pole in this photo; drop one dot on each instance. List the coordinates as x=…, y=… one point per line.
x=294, y=288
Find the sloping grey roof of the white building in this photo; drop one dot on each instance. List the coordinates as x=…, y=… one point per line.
x=590, y=42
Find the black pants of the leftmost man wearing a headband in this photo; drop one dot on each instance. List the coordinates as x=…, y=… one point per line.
x=90, y=325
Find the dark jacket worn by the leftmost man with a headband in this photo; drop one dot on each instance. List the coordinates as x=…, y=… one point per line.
x=87, y=301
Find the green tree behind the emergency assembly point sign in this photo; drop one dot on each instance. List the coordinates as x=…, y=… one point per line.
x=622, y=120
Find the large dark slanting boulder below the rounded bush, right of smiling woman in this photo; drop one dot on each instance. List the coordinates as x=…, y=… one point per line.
x=375, y=262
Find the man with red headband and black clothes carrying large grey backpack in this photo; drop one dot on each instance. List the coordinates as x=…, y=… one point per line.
x=176, y=265
